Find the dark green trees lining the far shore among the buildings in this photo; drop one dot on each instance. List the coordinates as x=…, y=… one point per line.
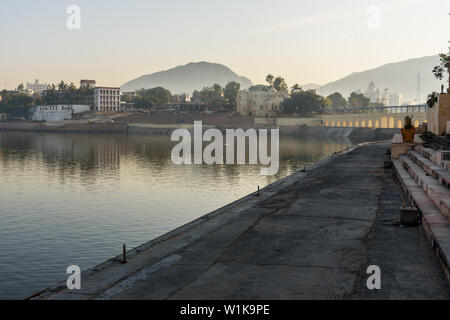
x=216, y=97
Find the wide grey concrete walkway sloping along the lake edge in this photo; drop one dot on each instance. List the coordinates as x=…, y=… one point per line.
x=310, y=236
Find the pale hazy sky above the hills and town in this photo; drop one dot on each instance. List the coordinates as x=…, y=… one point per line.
x=303, y=40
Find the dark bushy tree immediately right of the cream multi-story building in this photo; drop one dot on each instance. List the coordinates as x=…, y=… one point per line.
x=304, y=103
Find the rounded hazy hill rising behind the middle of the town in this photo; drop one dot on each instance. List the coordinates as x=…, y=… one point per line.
x=187, y=78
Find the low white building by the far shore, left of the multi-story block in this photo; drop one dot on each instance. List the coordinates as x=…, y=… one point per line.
x=58, y=112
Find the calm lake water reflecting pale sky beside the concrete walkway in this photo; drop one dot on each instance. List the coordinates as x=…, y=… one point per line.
x=76, y=198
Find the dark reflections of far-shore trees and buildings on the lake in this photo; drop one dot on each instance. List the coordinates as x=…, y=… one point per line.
x=90, y=156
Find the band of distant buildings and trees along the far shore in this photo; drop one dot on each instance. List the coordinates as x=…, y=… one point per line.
x=42, y=102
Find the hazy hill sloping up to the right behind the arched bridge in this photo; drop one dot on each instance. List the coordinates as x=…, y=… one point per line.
x=397, y=77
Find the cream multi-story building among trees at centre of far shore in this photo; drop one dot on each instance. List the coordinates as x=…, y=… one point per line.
x=260, y=102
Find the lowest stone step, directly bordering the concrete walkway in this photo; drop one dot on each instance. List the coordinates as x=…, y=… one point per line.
x=436, y=226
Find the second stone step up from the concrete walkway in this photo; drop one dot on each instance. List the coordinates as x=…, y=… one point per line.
x=439, y=194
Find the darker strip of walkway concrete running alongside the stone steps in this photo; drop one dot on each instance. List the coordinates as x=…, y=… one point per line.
x=409, y=266
